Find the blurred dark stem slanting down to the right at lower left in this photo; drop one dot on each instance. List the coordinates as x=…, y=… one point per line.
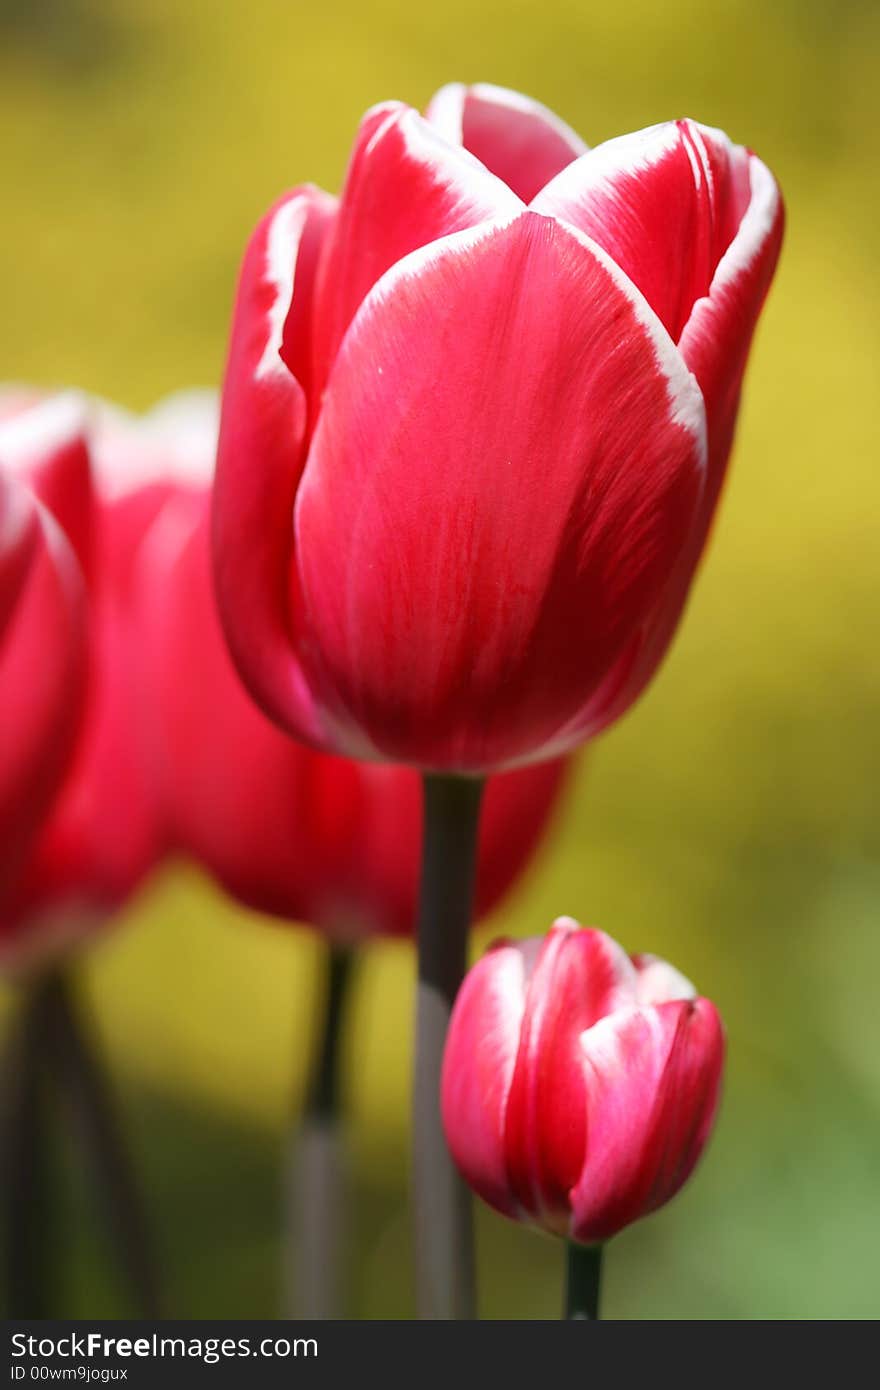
x=85, y=1089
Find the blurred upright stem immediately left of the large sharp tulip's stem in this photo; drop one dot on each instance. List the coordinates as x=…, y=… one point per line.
x=318, y=1200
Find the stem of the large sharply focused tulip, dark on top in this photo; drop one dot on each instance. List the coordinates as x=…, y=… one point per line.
x=444, y=1217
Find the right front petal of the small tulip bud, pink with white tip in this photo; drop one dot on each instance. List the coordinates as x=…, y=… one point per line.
x=651, y=1081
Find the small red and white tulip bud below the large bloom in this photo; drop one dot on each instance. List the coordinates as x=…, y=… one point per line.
x=580, y=1084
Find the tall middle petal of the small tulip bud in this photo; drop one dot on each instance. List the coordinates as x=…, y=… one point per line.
x=578, y=979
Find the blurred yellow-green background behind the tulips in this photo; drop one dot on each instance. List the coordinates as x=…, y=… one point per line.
x=729, y=824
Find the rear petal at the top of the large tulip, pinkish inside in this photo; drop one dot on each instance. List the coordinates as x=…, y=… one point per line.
x=516, y=138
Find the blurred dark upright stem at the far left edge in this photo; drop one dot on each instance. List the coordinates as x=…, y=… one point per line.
x=30, y=1243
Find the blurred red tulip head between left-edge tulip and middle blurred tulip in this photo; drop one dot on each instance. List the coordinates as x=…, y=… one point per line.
x=106, y=828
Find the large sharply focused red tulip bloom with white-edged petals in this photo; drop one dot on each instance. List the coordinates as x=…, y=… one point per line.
x=476, y=420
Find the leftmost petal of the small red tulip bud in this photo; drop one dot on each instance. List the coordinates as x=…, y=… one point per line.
x=482, y=1047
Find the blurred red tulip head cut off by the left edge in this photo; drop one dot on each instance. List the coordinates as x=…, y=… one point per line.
x=42, y=616
